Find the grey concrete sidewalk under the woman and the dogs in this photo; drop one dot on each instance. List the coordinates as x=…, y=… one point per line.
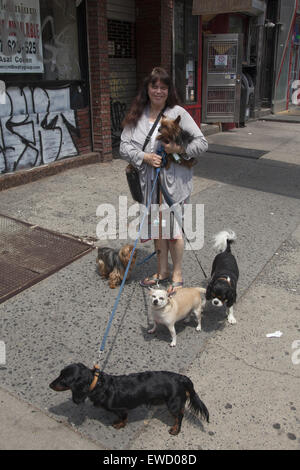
x=249, y=382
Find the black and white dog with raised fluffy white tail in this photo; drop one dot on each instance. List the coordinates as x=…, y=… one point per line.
x=224, y=275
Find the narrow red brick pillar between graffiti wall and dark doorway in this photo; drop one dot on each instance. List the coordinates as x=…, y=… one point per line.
x=99, y=78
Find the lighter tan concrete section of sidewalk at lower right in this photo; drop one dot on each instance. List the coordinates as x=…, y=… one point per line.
x=248, y=381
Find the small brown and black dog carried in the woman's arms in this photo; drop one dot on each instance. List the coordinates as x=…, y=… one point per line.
x=170, y=131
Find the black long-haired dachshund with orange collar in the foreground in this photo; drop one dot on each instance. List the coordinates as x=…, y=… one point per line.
x=120, y=393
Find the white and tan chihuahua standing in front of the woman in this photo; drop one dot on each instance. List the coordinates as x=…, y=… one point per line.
x=168, y=309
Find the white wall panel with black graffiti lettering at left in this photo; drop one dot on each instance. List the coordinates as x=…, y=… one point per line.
x=37, y=127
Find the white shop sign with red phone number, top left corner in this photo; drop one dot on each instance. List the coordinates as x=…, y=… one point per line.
x=20, y=37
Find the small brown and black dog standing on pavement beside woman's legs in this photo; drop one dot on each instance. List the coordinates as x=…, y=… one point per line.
x=111, y=264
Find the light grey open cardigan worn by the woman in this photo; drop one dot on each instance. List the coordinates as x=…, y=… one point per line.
x=177, y=180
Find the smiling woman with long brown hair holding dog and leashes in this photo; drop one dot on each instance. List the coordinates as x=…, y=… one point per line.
x=156, y=95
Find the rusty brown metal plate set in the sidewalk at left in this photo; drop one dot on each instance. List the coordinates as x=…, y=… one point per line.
x=29, y=253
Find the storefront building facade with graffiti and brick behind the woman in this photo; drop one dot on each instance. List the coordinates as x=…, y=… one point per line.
x=69, y=69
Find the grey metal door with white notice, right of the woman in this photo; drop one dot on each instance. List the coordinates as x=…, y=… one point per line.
x=222, y=67
